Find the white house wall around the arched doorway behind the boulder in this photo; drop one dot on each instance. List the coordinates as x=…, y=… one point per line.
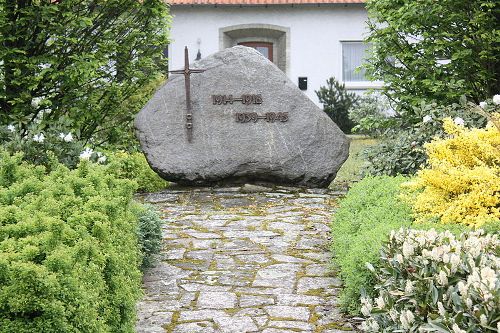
x=316, y=33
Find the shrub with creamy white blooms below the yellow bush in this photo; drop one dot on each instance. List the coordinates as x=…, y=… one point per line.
x=435, y=282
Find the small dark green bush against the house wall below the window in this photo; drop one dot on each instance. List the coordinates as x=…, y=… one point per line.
x=337, y=102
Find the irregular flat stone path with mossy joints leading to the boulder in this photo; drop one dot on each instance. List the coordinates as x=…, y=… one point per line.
x=242, y=262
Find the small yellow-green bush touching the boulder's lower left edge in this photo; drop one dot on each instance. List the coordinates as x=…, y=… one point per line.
x=134, y=166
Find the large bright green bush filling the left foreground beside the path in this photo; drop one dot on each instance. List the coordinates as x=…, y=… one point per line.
x=68, y=249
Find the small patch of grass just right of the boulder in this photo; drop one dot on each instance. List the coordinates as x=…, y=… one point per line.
x=351, y=169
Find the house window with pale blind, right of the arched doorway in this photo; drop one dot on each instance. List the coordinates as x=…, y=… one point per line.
x=353, y=55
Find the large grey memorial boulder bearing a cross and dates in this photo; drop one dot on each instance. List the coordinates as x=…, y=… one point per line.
x=306, y=150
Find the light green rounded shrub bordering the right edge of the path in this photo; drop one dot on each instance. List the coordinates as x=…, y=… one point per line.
x=366, y=216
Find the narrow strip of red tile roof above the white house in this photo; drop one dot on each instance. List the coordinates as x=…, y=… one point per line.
x=260, y=2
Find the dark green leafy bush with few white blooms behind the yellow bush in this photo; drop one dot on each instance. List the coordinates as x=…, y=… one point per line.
x=402, y=149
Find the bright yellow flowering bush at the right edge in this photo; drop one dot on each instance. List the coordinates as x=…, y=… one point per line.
x=462, y=182
